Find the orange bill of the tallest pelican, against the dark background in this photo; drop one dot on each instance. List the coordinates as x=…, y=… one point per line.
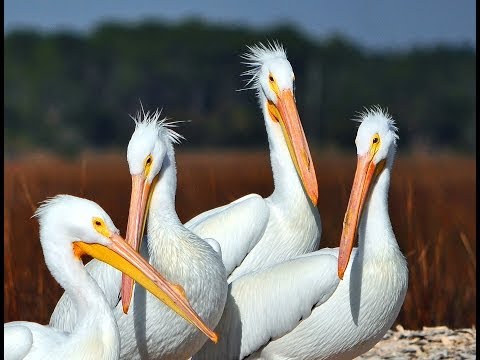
x=297, y=143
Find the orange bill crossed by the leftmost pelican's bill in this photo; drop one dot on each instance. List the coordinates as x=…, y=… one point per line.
x=135, y=227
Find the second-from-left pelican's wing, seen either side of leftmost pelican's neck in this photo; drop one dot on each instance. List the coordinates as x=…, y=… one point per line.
x=64, y=316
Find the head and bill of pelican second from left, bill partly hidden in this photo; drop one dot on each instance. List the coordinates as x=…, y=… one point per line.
x=146, y=153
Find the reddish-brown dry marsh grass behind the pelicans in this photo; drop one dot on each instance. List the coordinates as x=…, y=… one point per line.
x=432, y=206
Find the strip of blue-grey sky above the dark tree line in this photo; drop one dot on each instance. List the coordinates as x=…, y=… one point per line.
x=376, y=24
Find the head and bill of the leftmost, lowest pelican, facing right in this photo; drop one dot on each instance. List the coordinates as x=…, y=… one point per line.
x=86, y=228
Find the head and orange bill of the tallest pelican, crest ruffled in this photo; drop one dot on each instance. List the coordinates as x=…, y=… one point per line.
x=272, y=76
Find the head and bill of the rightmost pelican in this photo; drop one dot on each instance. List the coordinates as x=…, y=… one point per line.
x=376, y=143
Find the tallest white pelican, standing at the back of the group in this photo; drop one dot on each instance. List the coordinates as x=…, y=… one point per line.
x=254, y=232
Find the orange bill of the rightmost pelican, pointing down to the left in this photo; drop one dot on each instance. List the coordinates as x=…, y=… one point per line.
x=361, y=184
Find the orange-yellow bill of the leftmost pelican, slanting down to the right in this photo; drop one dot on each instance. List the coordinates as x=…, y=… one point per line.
x=120, y=255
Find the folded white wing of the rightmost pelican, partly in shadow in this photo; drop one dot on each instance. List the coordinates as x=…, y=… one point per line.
x=267, y=304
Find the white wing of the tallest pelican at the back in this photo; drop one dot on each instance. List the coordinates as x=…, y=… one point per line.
x=237, y=227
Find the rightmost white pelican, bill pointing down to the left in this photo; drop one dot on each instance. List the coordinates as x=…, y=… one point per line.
x=267, y=315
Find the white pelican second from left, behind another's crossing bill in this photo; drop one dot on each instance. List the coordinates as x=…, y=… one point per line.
x=150, y=329
